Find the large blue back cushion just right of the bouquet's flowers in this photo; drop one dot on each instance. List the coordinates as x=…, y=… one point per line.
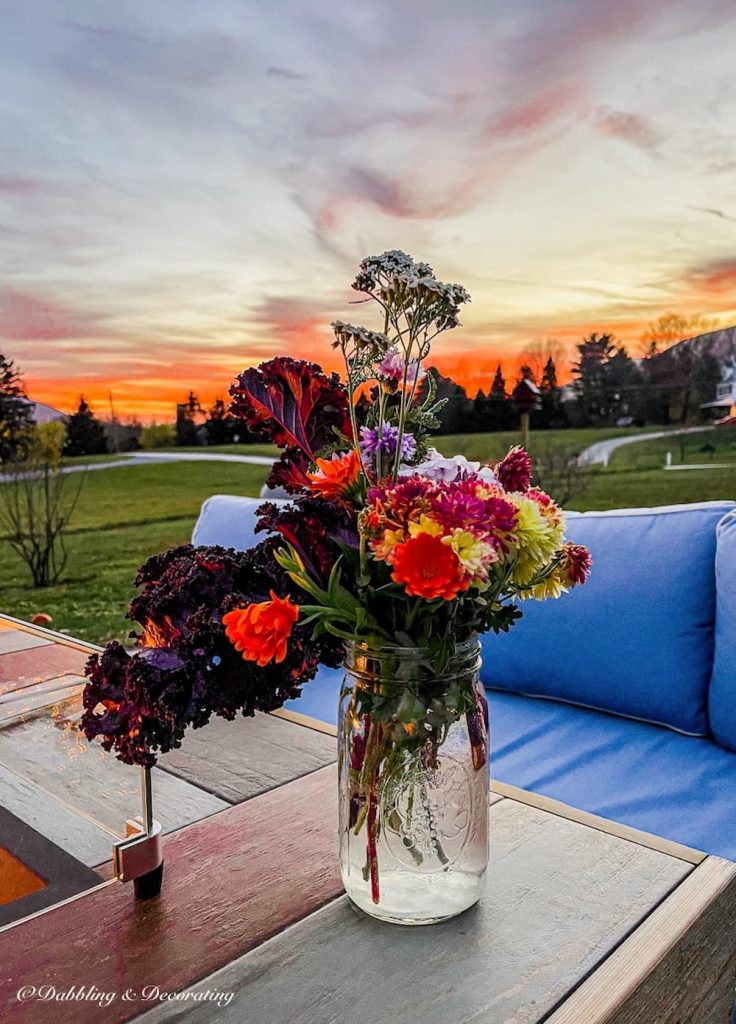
x=638, y=638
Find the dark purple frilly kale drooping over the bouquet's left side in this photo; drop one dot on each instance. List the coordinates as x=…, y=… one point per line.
x=186, y=669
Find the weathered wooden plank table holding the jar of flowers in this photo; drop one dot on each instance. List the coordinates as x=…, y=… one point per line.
x=584, y=921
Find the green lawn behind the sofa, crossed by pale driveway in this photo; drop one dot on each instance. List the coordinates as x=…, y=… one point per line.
x=127, y=514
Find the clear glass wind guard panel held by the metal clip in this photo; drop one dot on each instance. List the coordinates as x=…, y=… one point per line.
x=64, y=802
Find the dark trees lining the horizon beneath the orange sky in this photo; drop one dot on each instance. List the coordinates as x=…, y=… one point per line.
x=605, y=387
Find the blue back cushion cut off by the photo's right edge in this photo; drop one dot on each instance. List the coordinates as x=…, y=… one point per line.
x=722, y=699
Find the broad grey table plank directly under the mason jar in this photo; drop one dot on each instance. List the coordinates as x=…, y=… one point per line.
x=560, y=898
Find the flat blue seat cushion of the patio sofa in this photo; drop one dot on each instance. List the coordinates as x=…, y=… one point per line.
x=681, y=788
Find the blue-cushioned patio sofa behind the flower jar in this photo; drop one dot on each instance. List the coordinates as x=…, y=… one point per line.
x=621, y=698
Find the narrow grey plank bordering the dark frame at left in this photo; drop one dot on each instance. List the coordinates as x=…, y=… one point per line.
x=74, y=834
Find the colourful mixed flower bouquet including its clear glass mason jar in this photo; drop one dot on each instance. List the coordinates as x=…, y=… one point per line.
x=389, y=560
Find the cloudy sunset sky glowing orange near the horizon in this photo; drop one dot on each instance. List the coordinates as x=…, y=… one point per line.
x=186, y=188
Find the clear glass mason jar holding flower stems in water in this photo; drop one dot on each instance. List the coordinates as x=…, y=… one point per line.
x=413, y=758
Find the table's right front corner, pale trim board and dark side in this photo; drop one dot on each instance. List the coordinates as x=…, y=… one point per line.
x=678, y=968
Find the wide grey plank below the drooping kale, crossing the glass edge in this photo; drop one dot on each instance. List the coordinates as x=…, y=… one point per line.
x=53, y=754
